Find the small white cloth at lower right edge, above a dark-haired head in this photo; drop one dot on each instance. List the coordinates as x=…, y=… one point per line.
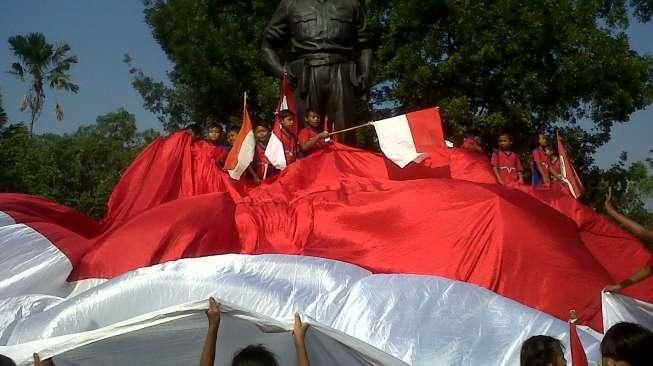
x=619, y=308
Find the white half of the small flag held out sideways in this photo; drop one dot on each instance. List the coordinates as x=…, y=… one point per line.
x=396, y=140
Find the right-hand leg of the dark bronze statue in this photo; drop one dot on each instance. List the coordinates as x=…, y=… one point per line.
x=340, y=101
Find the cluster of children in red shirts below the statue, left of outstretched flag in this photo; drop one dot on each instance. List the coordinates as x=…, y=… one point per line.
x=309, y=139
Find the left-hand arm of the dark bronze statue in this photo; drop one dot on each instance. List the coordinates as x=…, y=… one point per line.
x=275, y=34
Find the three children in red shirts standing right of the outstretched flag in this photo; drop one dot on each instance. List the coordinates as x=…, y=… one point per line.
x=508, y=168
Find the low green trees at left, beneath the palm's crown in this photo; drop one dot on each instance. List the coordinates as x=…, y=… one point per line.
x=79, y=169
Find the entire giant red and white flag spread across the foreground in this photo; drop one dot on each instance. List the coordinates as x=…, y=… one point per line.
x=324, y=239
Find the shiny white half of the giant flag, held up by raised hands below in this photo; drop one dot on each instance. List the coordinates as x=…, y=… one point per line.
x=358, y=318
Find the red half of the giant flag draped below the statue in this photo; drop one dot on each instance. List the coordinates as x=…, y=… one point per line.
x=541, y=248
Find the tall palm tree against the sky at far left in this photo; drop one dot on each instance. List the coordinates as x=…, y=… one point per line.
x=43, y=63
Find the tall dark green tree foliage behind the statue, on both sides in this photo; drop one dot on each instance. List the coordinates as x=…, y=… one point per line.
x=491, y=66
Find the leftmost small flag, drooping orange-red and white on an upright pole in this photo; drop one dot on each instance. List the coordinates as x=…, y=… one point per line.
x=242, y=153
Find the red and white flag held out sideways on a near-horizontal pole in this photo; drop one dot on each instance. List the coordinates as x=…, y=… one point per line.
x=410, y=137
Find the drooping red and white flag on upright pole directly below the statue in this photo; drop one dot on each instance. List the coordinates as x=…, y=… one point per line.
x=275, y=151
